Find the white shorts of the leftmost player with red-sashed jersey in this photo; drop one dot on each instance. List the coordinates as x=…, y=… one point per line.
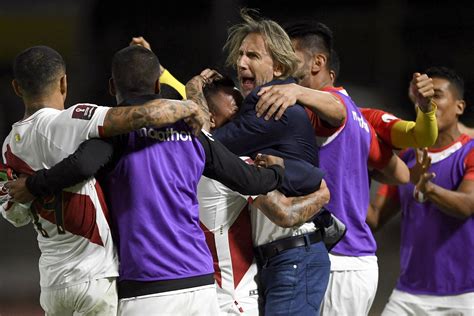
x=95, y=297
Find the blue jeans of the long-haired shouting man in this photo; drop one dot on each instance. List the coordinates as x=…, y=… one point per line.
x=294, y=281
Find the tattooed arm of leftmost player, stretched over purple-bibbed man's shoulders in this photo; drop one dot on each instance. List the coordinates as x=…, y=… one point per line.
x=157, y=113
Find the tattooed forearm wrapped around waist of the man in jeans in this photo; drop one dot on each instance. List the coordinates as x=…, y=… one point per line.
x=294, y=211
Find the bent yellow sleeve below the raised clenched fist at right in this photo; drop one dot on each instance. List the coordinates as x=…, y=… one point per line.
x=422, y=133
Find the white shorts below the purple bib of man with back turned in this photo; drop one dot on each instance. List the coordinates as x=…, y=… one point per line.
x=200, y=300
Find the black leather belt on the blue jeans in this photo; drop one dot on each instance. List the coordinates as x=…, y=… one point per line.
x=276, y=247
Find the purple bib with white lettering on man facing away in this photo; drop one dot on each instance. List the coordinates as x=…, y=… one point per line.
x=151, y=188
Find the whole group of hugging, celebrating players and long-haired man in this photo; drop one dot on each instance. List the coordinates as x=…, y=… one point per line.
x=223, y=204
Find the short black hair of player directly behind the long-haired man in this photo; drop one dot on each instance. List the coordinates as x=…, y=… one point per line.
x=312, y=35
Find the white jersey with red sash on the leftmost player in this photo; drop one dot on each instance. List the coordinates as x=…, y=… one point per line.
x=73, y=233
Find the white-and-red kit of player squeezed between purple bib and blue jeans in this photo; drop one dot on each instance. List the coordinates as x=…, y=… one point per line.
x=225, y=219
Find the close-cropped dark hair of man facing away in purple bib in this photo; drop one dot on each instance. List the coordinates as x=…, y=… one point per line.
x=135, y=69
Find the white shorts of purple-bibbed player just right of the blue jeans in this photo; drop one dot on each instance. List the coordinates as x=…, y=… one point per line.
x=351, y=292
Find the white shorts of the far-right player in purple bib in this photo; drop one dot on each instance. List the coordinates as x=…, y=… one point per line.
x=402, y=303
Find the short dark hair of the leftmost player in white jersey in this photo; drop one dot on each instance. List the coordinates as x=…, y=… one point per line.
x=36, y=68
